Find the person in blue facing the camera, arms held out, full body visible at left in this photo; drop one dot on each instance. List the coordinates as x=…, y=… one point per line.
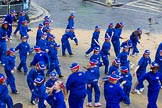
x=24, y=49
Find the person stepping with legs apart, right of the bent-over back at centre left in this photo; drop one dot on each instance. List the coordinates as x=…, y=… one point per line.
x=54, y=61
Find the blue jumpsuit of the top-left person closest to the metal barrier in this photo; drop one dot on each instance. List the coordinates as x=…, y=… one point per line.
x=9, y=18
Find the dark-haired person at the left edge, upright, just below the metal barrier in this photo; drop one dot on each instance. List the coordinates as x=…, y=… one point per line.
x=3, y=45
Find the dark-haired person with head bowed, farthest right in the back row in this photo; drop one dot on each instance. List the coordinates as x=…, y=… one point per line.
x=134, y=37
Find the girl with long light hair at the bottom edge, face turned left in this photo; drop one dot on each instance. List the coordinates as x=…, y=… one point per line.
x=56, y=99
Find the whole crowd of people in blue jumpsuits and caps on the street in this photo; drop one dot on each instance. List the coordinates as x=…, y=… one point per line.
x=117, y=80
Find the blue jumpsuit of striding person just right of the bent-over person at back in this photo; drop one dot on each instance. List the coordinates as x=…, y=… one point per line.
x=93, y=43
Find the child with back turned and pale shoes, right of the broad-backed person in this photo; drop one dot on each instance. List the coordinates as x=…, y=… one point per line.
x=92, y=77
